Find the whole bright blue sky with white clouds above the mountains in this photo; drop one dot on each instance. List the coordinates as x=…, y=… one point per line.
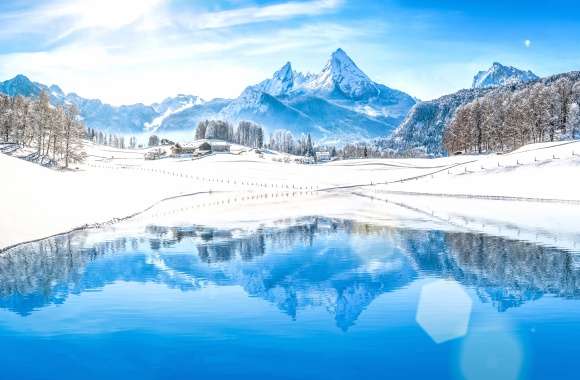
x=127, y=51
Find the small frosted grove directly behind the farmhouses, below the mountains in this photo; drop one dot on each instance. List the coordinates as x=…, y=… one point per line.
x=246, y=133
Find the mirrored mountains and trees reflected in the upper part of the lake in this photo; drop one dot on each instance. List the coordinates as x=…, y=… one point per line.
x=314, y=262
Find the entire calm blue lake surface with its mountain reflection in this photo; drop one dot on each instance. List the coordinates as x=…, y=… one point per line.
x=312, y=299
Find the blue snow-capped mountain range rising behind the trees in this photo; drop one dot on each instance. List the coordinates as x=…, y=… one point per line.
x=338, y=105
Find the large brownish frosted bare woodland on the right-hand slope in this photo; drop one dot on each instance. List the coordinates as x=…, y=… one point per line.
x=504, y=120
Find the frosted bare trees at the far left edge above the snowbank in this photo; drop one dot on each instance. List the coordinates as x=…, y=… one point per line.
x=54, y=131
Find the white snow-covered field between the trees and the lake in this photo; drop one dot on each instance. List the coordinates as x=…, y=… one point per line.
x=246, y=188
